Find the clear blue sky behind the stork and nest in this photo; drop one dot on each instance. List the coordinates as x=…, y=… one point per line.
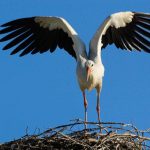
x=41, y=91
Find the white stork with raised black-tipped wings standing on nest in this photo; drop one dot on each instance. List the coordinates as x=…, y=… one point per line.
x=127, y=30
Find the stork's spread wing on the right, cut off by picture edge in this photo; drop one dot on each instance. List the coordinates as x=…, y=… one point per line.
x=127, y=30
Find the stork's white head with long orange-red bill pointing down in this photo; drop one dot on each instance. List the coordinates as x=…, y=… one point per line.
x=89, y=68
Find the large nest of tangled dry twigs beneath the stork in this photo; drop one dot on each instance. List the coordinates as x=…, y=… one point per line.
x=103, y=136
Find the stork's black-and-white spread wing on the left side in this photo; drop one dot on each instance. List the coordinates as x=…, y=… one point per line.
x=40, y=34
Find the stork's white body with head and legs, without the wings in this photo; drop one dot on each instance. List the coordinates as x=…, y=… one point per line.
x=90, y=75
